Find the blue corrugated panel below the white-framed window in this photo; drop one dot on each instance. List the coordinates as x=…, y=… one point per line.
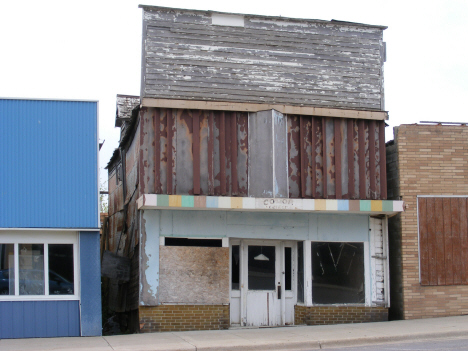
x=33, y=319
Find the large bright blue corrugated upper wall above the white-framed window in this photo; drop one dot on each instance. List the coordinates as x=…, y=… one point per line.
x=48, y=164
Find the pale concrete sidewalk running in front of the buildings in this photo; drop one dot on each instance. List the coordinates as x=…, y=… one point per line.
x=261, y=339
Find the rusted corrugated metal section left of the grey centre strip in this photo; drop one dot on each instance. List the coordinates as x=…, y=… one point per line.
x=197, y=152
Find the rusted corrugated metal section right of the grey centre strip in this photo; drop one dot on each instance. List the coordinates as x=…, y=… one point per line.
x=335, y=158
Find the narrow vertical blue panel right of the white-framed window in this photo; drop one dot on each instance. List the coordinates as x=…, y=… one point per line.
x=91, y=320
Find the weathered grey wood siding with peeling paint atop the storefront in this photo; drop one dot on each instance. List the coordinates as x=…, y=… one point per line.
x=267, y=60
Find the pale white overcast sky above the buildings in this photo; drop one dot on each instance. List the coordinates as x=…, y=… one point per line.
x=91, y=50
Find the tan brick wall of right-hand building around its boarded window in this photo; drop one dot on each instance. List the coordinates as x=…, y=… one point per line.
x=432, y=160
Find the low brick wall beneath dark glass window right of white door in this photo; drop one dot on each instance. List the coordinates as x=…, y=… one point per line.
x=317, y=315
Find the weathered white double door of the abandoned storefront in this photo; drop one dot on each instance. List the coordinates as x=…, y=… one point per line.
x=267, y=282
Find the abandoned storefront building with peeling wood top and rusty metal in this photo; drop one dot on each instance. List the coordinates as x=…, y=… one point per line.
x=249, y=187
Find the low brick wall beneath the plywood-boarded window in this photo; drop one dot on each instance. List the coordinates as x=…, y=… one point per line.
x=183, y=317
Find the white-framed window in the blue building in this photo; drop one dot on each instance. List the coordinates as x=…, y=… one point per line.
x=37, y=269
